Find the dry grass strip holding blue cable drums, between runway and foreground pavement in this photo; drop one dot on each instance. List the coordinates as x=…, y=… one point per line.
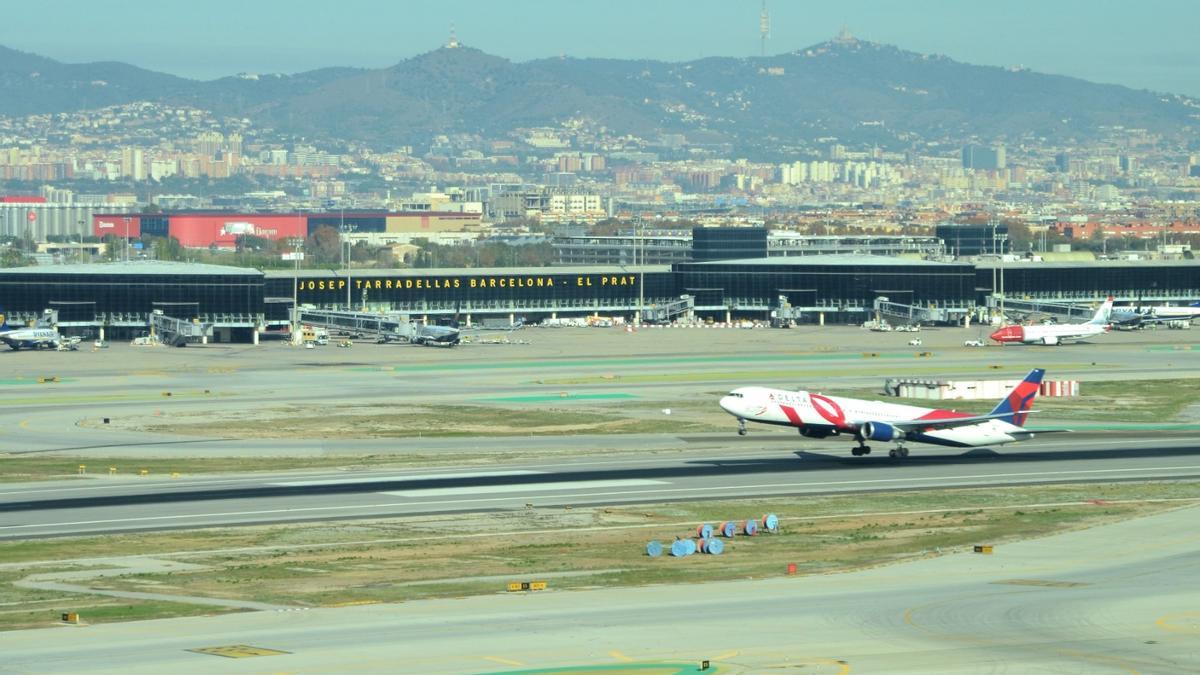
x=397, y=560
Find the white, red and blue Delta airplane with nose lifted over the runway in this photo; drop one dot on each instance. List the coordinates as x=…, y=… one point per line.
x=818, y=416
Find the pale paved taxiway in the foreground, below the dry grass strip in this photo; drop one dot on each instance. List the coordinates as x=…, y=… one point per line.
x=1119, y=599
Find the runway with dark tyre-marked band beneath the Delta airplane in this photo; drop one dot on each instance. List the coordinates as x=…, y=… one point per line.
x=129, y=504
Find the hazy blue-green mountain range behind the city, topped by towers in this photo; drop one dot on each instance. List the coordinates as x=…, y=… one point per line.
x=849, y=89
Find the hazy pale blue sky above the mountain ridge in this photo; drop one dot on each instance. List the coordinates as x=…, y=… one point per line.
x=1145, y=44
